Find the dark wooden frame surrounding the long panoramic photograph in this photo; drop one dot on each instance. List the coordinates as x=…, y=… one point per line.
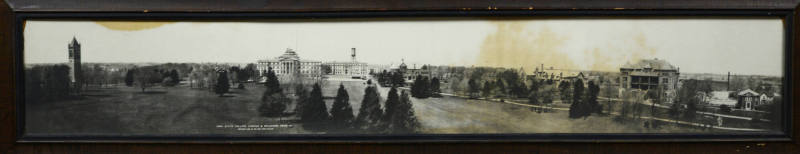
x=9, y=109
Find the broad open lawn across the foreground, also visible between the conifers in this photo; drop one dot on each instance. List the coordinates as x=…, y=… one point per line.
x=182, y=110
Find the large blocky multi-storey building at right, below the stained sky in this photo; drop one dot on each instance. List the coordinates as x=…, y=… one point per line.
x=651, y=74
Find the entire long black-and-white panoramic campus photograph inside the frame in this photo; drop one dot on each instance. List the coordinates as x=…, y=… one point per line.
x=403, y=76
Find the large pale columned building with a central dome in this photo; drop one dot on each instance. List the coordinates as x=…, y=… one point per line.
x=289, y=66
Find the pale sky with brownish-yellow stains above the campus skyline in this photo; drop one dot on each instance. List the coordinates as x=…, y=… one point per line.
x=742, y=46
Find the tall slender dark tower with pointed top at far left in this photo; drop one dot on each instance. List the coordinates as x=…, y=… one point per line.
x=74, y=49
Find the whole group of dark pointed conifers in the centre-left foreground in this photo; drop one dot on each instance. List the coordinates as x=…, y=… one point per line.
x=397, y=116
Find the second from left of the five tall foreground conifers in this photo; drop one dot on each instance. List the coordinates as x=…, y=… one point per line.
x=341, y=111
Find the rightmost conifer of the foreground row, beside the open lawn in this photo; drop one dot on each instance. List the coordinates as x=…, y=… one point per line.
x=403, y=119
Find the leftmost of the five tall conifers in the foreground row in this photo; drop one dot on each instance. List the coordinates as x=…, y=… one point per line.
x=315, y=116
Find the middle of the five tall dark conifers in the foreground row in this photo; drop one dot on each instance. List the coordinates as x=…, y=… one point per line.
x=370, y=113
